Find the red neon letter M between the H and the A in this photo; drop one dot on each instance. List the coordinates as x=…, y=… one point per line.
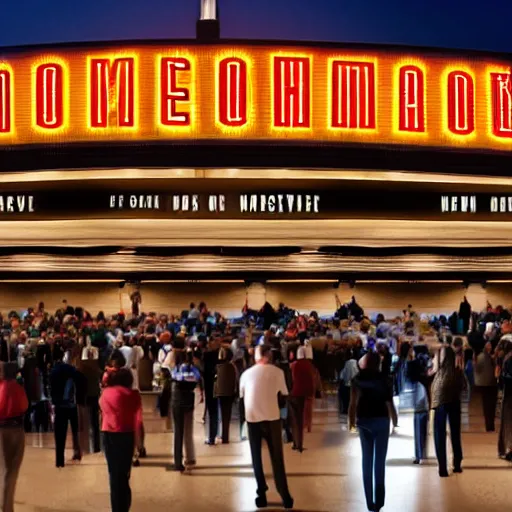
x=353, y=95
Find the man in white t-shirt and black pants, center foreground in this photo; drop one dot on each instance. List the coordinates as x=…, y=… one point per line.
x=260, y=386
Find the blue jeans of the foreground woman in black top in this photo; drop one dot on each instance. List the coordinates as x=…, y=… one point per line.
x=374, y=435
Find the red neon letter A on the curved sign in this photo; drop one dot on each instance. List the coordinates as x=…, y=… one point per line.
x=412, y=99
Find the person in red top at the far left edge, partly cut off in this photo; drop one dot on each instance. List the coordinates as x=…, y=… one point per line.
x=13, y=405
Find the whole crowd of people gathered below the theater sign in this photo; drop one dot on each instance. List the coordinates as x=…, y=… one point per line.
x=71, y=368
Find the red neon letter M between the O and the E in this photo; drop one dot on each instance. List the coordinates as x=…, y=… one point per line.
x=112, y=92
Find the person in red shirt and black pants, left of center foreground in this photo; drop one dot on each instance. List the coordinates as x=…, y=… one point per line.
x=121, y=408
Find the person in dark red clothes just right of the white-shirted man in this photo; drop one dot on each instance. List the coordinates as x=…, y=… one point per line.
x=303, y=387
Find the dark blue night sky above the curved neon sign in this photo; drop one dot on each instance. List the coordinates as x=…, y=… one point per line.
x=449, y=23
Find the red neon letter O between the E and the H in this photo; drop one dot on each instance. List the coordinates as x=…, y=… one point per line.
x=233, y=92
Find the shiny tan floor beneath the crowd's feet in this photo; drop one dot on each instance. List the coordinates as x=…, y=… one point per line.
x=325, y=478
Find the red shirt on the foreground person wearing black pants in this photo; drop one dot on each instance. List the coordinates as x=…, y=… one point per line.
x=121, y=409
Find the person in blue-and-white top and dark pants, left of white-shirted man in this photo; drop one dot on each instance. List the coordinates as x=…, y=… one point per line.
x=185, y=378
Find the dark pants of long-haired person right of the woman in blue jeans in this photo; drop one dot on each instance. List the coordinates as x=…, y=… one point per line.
x=450, y=412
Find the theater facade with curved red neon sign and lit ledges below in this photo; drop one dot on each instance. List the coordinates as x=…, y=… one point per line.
x=255, y=160
